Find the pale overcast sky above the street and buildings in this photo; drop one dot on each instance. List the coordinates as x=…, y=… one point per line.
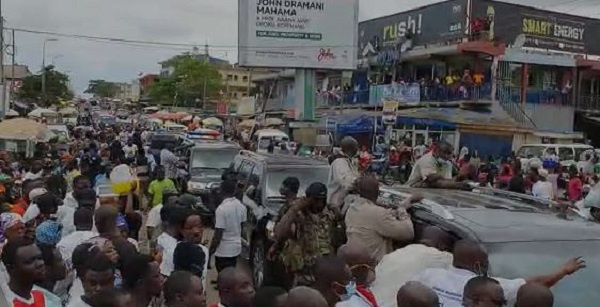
x=193, y=22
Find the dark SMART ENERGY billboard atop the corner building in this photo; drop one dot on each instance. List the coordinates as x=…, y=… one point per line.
x=530, y=27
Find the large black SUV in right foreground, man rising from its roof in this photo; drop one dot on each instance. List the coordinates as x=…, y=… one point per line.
x=522, y=235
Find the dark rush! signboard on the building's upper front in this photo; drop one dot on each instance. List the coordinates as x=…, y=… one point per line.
x=386, y=37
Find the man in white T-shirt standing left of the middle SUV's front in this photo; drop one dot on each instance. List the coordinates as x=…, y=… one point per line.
x=226, y=244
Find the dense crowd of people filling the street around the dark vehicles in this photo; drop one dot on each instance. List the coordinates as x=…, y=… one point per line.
x=63, y=243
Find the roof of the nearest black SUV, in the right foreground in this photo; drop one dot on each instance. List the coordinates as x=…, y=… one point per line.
x=503, y=217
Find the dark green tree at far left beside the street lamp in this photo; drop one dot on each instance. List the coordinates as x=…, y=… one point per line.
x=57, y=87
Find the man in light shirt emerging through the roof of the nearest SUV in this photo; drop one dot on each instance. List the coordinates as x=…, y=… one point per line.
x=434, y=170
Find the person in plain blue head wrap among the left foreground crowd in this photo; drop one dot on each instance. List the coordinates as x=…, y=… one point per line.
x=47, y=235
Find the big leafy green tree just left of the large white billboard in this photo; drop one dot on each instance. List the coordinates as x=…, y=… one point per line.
x=191, y=79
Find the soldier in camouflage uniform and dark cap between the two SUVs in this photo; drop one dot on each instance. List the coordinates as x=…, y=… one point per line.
x=305, y=233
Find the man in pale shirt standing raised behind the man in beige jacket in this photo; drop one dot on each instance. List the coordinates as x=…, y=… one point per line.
x=342, y=174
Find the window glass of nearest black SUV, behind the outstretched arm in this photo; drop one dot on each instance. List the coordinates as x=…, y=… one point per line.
x=529, y=259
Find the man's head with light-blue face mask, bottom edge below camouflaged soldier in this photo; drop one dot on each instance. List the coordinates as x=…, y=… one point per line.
x=334, y=280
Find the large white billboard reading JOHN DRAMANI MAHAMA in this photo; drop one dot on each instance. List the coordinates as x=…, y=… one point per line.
x=298, y=33
